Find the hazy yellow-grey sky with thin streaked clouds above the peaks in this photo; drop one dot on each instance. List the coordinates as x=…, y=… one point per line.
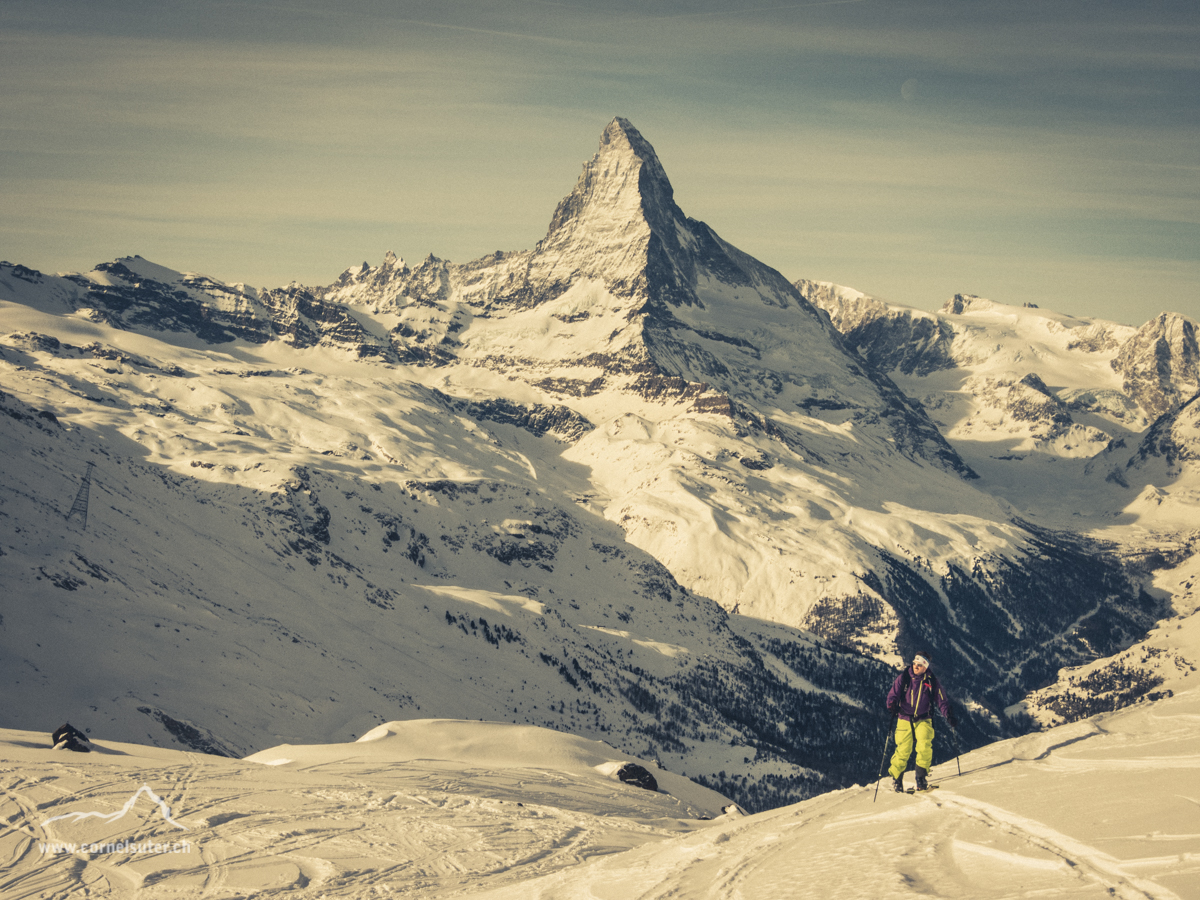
x=1022, y=151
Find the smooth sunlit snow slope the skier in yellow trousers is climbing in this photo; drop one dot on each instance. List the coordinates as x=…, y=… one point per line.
x=1097, y=809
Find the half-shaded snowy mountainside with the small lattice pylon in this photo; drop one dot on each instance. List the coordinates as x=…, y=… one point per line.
x=326, y=550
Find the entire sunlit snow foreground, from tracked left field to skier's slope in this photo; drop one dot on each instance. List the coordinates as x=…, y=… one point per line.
x=1102, y=808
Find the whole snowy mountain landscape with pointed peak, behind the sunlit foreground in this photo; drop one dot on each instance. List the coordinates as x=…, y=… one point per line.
x=631, y=484
